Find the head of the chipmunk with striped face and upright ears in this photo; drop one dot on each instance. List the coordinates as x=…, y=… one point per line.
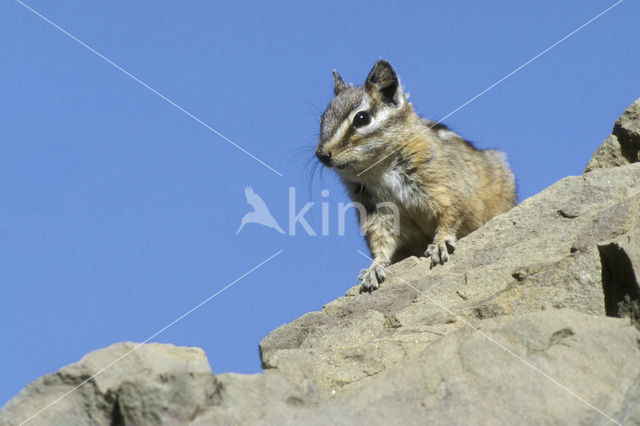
x=360, y=124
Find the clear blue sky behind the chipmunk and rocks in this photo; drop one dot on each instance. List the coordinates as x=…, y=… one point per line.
x=118, y=211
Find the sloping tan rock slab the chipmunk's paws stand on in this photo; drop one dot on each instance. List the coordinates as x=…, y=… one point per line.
x=545, y=254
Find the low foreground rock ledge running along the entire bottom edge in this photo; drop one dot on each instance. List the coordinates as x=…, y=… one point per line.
x=519, y=369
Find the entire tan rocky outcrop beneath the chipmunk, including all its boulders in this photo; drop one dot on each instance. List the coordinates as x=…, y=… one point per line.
x=533, y=320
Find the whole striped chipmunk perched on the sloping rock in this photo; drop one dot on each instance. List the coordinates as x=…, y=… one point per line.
x=407, y=169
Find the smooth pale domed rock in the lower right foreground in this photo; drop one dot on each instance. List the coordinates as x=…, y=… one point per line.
x=466, y=378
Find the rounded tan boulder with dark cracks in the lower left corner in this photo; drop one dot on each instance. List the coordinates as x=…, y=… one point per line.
x=150, y=384
